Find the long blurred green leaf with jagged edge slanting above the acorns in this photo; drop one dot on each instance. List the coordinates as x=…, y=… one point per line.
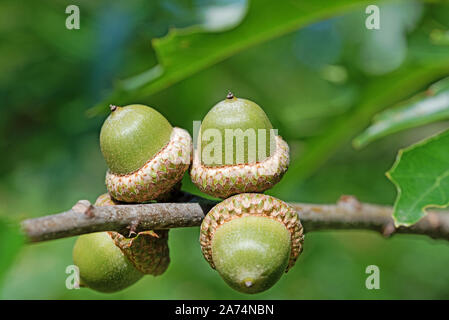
x=184, y=52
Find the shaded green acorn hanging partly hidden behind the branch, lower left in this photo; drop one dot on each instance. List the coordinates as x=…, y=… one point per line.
x=109, y=262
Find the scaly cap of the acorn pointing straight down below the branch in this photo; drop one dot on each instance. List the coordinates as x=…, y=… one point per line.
x=252, y=204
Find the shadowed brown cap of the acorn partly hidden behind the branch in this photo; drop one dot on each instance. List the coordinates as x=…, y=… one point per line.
x=148, y=250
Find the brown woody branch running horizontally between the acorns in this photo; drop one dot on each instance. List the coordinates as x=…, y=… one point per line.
x=189, y=211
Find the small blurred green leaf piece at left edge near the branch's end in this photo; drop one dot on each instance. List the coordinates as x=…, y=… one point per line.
x=11, y=240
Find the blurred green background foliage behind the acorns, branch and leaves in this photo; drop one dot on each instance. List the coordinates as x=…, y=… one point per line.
x=320, y=85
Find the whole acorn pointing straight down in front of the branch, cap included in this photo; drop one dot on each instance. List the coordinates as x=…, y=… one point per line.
x=251, y=240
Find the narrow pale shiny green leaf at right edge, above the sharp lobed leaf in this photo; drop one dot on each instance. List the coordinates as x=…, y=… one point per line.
x=427, y=107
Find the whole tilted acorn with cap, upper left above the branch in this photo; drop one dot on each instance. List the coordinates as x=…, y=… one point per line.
x=145, y=155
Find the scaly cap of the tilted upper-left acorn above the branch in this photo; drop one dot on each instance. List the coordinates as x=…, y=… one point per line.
x=158, y=175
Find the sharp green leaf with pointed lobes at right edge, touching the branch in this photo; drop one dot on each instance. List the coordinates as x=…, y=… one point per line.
x=421, y=176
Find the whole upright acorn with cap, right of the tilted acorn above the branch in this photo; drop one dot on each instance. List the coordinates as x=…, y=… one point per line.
x=237, y=150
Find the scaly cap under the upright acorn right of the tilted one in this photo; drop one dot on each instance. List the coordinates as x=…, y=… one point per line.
x=228, y=180
